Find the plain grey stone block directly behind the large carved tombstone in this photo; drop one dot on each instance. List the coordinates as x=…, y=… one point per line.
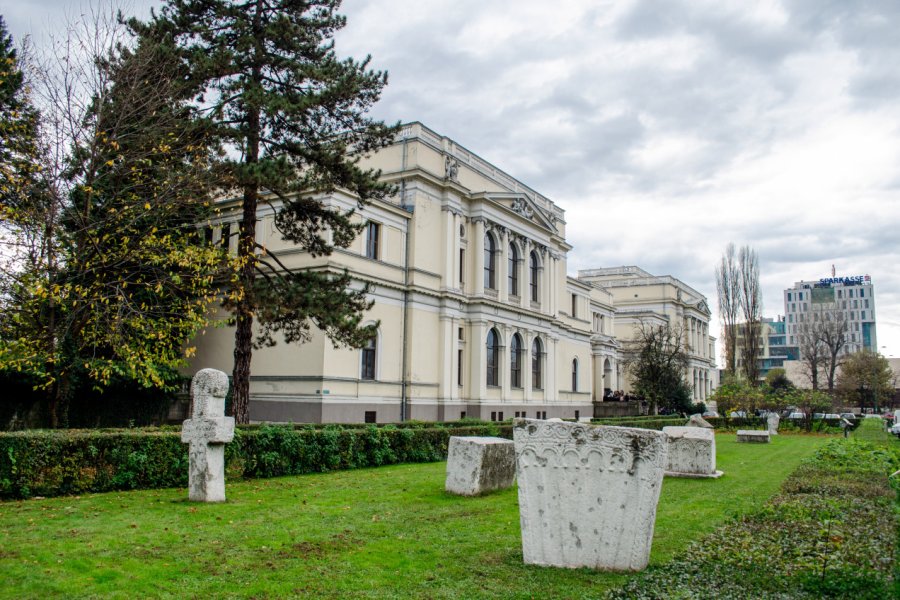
x=476, y=465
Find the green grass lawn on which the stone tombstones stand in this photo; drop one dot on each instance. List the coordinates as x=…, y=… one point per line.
x=377, y=533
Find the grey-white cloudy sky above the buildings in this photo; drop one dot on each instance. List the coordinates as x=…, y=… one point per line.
x=664, y=129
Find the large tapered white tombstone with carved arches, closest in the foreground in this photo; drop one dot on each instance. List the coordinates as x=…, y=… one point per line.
x=588, y=494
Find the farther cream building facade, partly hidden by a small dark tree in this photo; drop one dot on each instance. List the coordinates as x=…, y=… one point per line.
x=640, y=296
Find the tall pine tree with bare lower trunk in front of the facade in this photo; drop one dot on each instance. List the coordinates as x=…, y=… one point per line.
x=291, y=118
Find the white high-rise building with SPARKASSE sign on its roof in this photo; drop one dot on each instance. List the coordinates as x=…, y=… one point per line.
x=854, y=297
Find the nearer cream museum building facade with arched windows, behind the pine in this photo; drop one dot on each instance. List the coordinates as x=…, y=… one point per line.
x=443, y=316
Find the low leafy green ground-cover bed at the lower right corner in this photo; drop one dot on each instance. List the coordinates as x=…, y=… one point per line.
x=831, y=533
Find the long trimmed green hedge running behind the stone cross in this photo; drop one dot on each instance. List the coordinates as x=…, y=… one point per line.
x=52, y=463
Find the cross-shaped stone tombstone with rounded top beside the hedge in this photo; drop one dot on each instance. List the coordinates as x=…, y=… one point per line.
x=207, y=432
